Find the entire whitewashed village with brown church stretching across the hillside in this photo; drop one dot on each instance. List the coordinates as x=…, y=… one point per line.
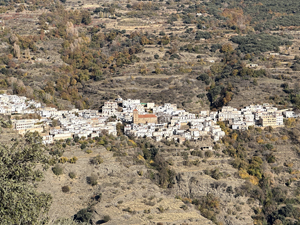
x=140, y=119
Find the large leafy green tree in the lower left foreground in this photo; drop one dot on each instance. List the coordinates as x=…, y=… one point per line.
x=19, y=201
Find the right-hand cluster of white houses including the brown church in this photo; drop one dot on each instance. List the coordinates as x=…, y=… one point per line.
x=169, y=122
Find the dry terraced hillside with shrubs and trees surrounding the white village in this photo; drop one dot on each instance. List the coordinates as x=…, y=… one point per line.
x=197, y=54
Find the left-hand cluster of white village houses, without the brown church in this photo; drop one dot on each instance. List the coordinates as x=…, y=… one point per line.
x=54, y=124
